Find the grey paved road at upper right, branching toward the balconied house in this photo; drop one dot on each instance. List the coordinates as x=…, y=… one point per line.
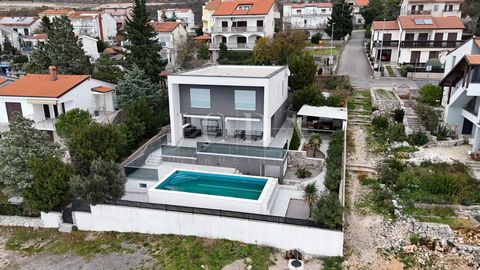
x=354, y=63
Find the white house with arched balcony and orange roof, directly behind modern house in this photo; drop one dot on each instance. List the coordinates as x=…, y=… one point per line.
x=239, y=23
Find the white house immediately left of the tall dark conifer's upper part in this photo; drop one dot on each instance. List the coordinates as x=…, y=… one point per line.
x=94, y=24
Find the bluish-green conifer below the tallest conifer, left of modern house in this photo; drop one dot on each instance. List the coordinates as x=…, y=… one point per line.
x=136, y=85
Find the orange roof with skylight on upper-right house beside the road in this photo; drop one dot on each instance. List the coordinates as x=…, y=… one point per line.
x=408, y=22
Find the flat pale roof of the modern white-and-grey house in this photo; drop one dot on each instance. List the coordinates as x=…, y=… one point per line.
x=235, y=71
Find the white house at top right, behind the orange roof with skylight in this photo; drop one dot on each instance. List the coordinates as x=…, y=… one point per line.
x=437, y=8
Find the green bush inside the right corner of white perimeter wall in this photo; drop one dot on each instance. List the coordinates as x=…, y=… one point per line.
x=328, y=211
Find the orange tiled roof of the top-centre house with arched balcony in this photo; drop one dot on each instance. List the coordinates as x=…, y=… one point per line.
x=258, y=7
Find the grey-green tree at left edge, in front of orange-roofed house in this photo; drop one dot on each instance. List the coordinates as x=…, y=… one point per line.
x=17, y=147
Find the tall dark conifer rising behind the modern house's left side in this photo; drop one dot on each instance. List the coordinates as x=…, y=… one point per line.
x=145, y=48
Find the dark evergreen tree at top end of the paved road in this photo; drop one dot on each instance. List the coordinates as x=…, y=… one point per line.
x=342, y=17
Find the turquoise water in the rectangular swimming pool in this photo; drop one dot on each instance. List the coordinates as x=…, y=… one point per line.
x=235, y=186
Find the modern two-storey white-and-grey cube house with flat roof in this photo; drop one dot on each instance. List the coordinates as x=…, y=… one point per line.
x=226, y=102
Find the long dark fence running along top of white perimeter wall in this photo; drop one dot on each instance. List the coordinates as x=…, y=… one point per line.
x=219, y=213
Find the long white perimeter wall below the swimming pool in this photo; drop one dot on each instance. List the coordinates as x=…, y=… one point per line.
x=131, y=219
